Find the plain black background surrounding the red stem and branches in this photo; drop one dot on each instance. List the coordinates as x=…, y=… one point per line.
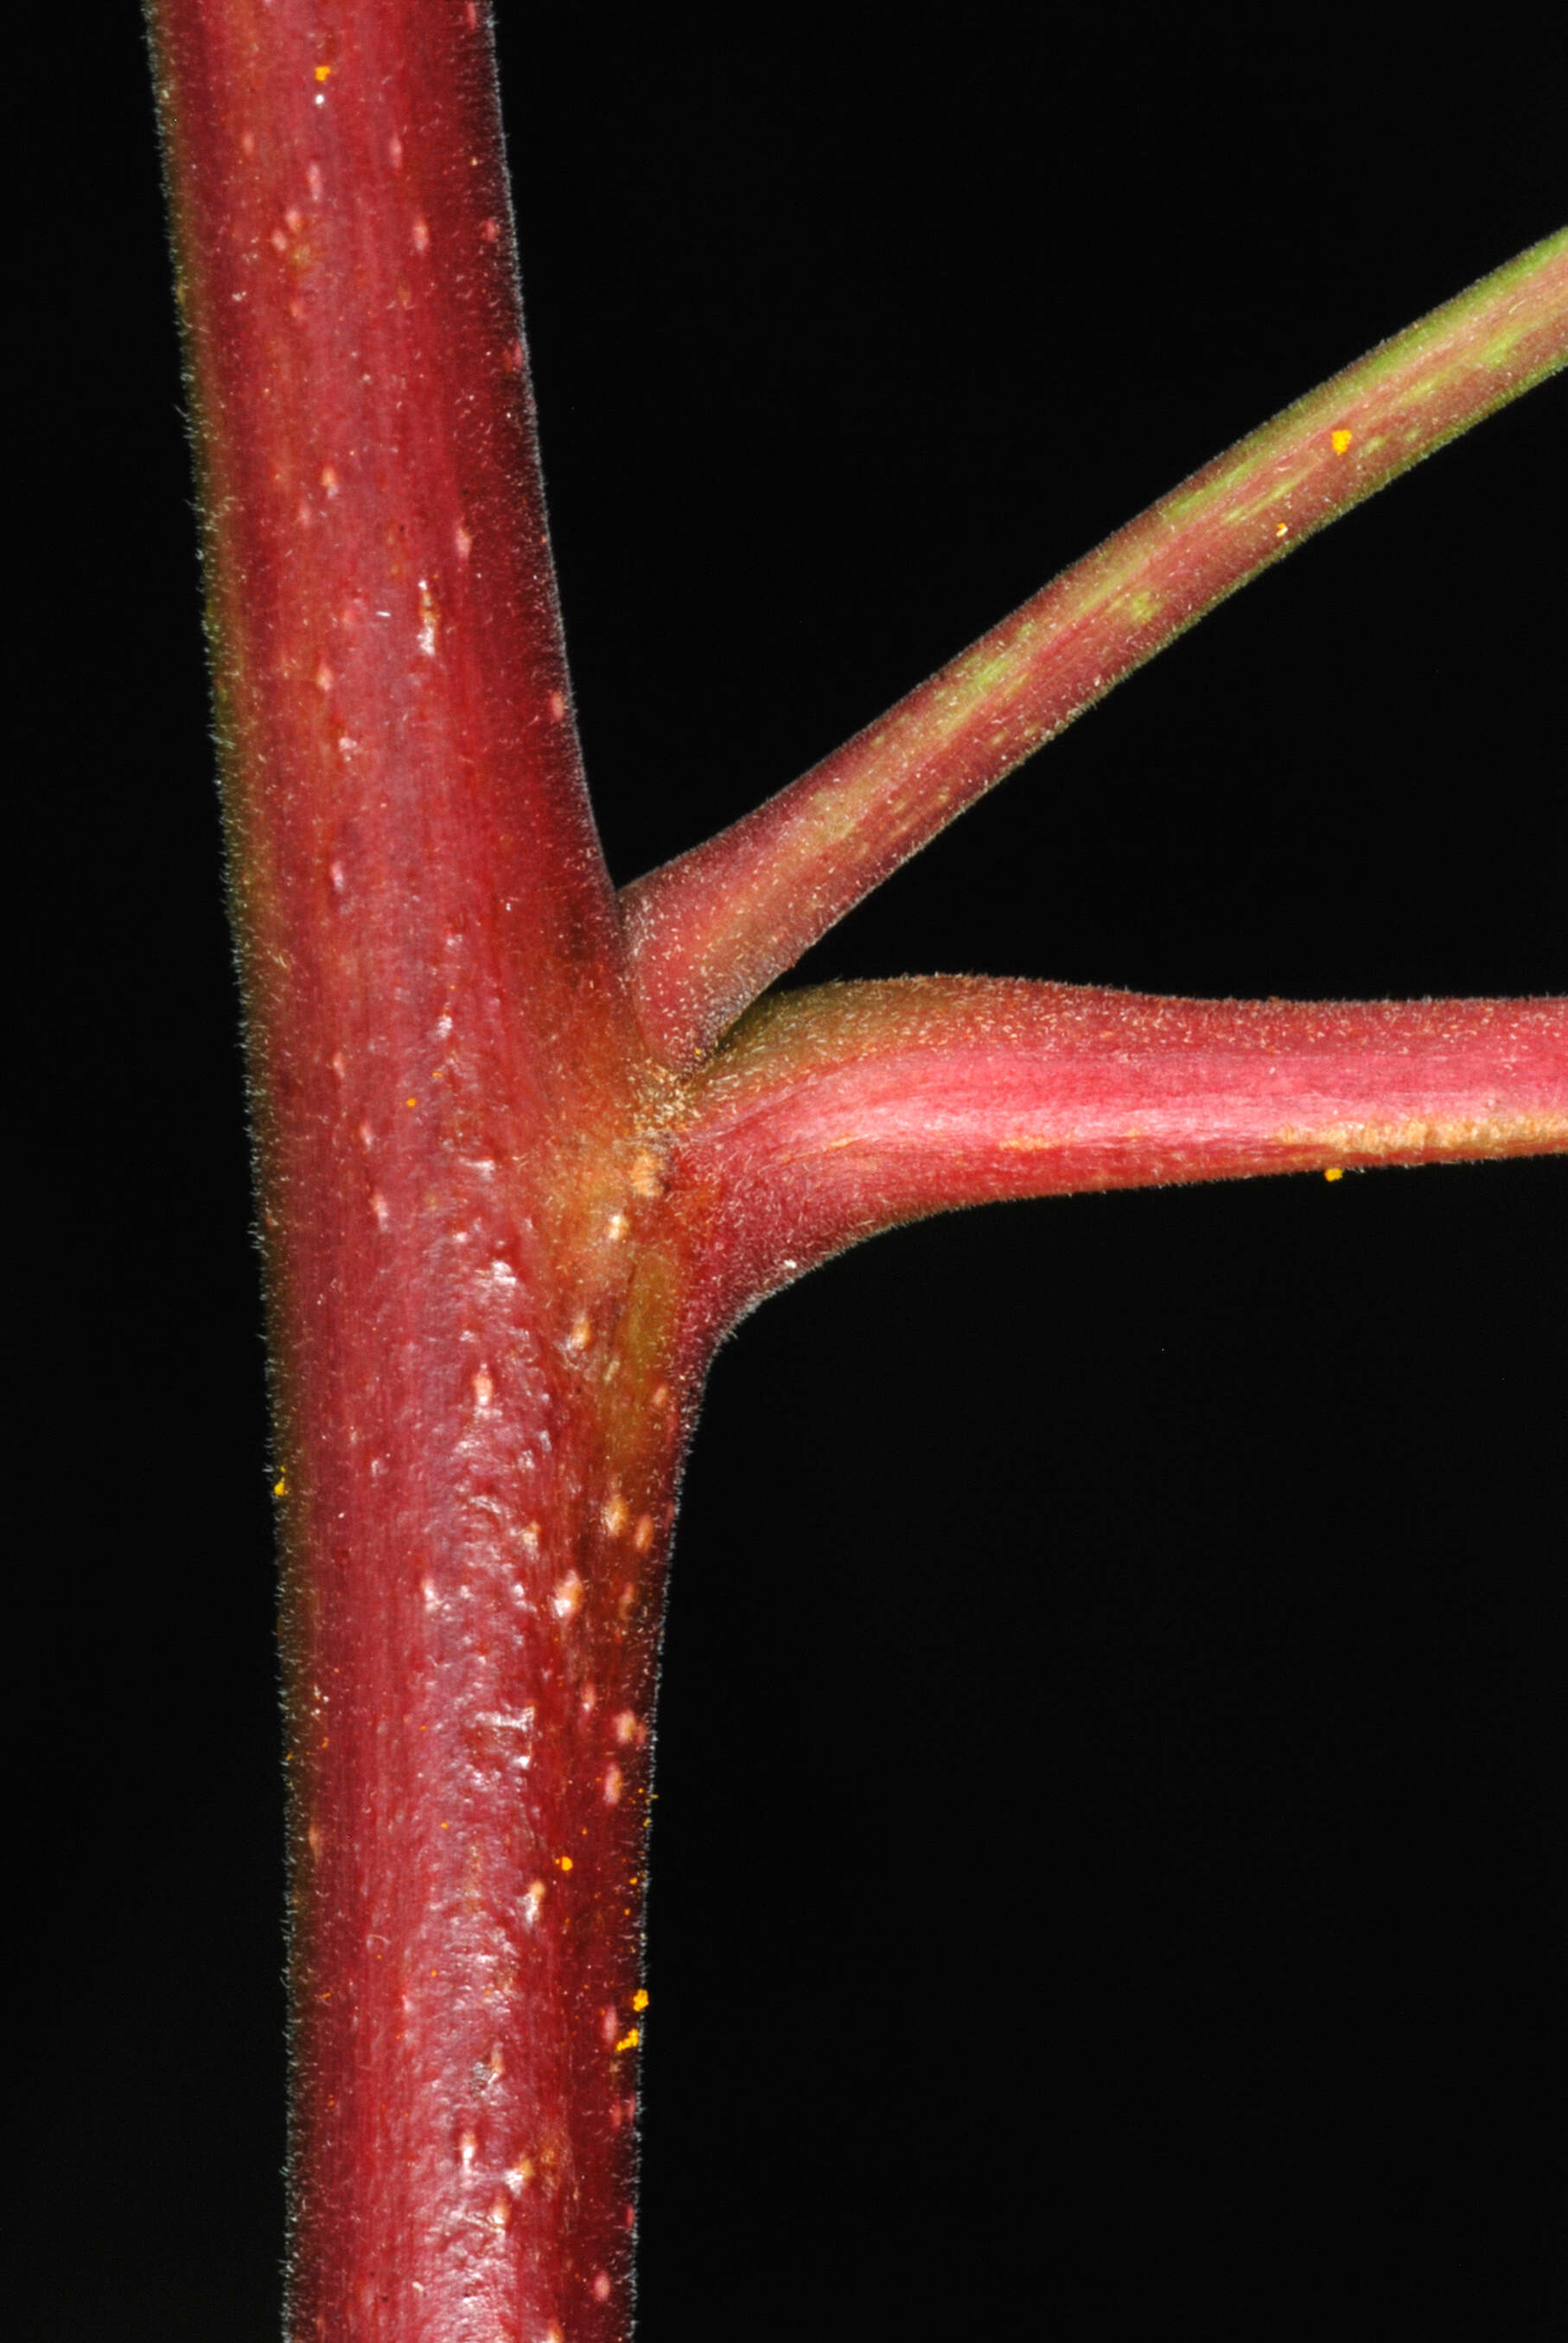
x=1112, y=1859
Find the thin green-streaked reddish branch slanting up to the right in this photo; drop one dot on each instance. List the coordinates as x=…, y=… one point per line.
x=716, y=927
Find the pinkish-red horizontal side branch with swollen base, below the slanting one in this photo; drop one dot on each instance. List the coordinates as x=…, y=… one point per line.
x=840, y=1112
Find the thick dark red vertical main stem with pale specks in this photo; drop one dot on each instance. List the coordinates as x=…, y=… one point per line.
x=479, y=1428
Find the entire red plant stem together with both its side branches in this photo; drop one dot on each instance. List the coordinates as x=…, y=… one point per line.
x=505, y=1222
